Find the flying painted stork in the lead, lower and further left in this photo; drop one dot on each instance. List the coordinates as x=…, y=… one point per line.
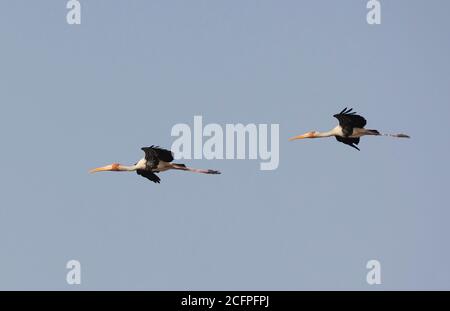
x=156, y=160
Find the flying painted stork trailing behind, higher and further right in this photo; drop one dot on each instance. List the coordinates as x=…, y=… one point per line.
x=349, y=130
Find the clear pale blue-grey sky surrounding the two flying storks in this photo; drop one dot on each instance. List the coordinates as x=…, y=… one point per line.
x=76, y=97
